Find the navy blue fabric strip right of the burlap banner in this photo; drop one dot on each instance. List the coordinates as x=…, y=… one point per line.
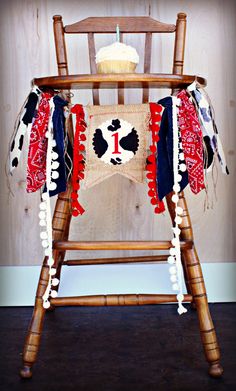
x=165, y=173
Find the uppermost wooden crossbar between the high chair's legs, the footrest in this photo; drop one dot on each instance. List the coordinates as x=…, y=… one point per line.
x=118, y=245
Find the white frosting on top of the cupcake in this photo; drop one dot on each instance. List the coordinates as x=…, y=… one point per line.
x=117, y=51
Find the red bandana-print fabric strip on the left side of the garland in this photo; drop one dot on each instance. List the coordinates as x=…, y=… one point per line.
x=36, y=167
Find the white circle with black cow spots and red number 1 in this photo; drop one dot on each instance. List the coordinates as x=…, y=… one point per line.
x=115, y=141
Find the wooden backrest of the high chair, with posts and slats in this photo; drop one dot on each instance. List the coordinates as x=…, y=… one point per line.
x=104, y=25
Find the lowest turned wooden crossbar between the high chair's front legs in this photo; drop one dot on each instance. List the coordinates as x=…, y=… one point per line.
x=116, y=300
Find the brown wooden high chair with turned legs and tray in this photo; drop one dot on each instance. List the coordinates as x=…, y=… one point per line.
x=62, y=214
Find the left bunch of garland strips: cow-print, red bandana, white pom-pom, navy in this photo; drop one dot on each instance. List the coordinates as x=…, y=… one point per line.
x=46, y=166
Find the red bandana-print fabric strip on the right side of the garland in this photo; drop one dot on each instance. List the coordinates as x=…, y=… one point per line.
x=191, y=136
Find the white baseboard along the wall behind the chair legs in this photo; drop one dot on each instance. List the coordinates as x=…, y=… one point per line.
x=18, y=283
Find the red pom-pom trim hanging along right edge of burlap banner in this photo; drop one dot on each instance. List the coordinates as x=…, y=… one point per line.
x=156, y=111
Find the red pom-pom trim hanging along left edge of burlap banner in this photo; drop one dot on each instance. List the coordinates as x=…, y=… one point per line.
x=78, y=158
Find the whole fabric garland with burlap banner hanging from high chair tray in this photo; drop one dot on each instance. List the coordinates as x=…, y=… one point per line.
x=117, y=139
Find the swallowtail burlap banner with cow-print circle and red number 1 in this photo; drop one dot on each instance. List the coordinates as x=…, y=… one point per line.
x=117, y=142
